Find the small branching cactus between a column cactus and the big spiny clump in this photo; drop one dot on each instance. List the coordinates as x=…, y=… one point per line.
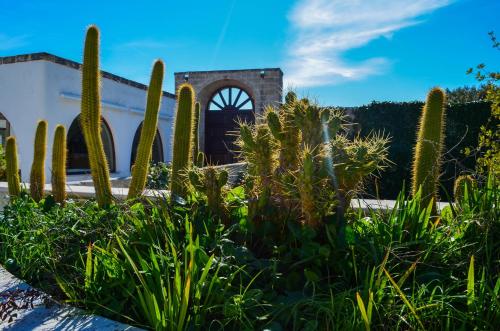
x=210, y=182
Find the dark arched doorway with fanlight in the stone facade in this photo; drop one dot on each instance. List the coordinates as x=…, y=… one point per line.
x=225, y=108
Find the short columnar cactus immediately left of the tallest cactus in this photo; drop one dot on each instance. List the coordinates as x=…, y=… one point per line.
x=59, y=165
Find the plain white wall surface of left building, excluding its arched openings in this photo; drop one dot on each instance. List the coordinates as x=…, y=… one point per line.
x=35, y=90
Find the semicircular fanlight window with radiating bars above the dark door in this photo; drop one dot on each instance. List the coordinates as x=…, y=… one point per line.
x=230, y=98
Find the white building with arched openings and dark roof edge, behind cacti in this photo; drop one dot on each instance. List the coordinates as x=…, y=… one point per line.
x=43, y=86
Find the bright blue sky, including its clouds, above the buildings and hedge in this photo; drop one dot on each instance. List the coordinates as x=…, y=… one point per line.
x=340, y=52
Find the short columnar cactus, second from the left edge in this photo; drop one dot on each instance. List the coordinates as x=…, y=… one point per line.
x=37, y=175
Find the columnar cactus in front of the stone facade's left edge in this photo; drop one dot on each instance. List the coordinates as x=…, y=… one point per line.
x=183, y=140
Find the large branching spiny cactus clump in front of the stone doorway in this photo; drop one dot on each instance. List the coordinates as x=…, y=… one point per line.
x=319, y=169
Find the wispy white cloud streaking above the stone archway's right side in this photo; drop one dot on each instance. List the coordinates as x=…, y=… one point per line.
x=323, y=30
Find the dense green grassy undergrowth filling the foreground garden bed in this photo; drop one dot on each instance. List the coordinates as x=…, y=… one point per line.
x=164, y=267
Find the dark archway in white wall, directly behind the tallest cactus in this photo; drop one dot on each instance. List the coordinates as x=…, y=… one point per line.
x=78, y=158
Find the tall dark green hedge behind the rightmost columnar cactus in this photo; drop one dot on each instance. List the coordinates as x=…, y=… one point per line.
x=400, y=120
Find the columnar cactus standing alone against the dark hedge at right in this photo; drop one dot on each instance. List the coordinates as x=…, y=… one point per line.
x=429, y=146
